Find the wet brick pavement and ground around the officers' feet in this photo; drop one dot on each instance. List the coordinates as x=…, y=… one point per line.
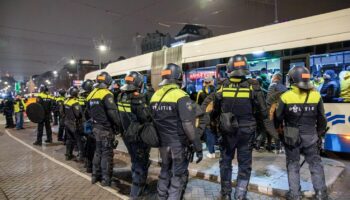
x=28, y=174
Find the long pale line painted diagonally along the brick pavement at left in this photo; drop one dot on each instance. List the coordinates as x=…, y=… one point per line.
x=114, y=192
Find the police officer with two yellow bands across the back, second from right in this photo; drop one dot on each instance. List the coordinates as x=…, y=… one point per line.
x=237, y=103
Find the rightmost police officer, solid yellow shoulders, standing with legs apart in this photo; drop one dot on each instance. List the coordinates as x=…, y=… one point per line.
x=302, y=107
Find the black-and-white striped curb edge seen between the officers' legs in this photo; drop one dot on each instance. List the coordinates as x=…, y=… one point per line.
x=252, y=187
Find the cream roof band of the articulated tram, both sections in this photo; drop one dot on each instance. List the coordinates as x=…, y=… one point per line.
x=318, y=29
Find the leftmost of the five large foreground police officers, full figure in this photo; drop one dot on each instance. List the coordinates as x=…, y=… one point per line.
x=104, y=115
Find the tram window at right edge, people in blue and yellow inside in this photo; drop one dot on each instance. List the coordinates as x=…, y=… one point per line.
x=331, y=76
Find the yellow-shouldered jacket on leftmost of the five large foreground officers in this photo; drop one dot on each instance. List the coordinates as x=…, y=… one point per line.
x=102, y=109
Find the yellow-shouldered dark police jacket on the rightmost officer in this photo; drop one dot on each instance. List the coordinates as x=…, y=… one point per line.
x=313, y=119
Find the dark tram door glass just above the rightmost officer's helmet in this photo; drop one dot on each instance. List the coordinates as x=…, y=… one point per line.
x=288, y=62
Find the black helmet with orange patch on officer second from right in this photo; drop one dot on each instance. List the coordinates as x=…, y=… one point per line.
x=237, y=66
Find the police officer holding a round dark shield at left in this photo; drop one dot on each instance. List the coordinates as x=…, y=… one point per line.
x=46, y=100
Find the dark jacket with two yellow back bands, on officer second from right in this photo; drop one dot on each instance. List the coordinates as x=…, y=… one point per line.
x=248, y=106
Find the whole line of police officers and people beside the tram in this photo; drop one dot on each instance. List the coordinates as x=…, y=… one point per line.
x=237, y=115
